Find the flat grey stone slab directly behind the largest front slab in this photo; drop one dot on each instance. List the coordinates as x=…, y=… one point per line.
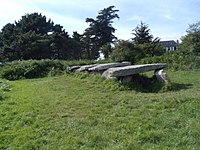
x=103, y=67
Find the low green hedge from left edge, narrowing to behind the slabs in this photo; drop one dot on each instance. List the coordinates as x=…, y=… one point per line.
x=36, y=68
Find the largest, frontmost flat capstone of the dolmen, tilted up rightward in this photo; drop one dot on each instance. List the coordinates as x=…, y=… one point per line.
x=131, y=70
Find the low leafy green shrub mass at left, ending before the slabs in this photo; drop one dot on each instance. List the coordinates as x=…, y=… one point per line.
x=29, y=69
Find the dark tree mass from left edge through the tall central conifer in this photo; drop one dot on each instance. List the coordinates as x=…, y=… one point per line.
x=35, y=37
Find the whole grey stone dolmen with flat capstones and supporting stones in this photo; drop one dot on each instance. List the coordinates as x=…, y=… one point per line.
x=123, y=71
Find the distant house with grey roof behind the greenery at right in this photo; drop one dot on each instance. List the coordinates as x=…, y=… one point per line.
x=169, y=45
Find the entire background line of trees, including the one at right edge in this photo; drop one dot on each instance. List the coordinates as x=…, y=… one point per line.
x=35, y=37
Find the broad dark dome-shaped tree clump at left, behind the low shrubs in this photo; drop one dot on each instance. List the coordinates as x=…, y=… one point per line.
x=33, y=37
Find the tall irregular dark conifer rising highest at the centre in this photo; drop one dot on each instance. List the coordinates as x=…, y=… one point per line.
x=100, y=31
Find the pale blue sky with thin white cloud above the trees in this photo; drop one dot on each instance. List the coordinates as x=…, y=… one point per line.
x=167, y=19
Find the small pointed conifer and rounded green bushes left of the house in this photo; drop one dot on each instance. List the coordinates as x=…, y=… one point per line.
x=142, y=46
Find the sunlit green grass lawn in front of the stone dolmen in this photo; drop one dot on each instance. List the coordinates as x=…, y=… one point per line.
x=87, y=112
